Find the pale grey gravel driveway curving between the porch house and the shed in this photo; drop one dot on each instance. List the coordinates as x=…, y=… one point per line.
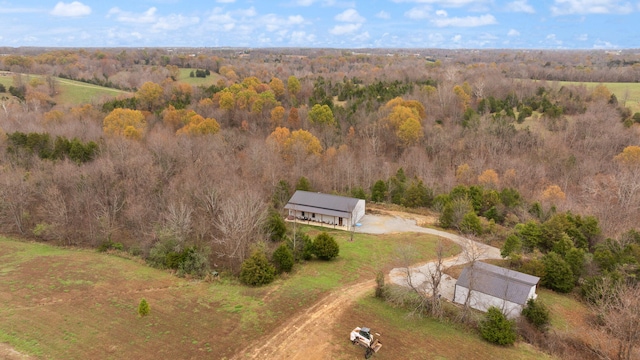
x=384, y=224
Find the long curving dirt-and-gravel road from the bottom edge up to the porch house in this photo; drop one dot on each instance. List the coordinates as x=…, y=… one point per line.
x=308, y=335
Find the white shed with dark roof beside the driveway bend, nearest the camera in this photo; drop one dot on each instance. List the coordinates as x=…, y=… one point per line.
x=492, y=285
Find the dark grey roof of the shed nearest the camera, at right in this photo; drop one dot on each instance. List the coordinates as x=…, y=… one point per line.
x=499, y=282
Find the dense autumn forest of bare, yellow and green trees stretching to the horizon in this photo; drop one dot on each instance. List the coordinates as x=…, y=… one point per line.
x=207, y=166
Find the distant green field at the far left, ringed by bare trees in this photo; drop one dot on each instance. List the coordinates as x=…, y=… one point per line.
x=73, y=92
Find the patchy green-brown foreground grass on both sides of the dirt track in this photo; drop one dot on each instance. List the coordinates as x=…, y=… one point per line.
x=78, y=304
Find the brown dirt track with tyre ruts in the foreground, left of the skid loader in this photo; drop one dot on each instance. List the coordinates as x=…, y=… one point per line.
x=308, y=335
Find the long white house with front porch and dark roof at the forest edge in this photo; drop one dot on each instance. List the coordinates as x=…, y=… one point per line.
x=325, y=208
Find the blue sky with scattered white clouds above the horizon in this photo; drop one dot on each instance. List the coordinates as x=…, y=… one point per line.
x=527, y=24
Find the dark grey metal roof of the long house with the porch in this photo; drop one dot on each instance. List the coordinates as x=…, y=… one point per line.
x=322, y=203
